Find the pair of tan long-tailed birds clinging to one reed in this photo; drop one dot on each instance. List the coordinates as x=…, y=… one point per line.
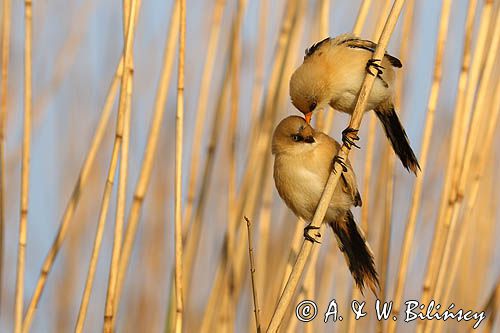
x=332, y=74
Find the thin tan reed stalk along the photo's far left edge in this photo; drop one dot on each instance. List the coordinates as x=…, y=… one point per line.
x=6, y=12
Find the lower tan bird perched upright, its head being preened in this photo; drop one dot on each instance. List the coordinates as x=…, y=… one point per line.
x=303, y=160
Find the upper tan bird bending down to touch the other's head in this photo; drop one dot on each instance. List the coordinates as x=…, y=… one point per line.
x=332, y=73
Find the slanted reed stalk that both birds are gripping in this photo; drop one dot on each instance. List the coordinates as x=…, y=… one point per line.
x=298, y=268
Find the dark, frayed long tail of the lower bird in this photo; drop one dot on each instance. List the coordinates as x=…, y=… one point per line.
x=356, y=251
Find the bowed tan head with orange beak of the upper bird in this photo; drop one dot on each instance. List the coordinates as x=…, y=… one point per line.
x=309, y=89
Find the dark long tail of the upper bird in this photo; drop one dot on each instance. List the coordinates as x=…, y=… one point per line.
x=397, y=135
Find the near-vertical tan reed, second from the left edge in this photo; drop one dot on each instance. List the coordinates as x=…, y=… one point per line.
x=25, y=169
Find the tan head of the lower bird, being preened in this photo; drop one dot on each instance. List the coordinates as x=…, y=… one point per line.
x=293, y=134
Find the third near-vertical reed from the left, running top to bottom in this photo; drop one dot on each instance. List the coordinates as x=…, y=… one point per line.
x=122, y=141
